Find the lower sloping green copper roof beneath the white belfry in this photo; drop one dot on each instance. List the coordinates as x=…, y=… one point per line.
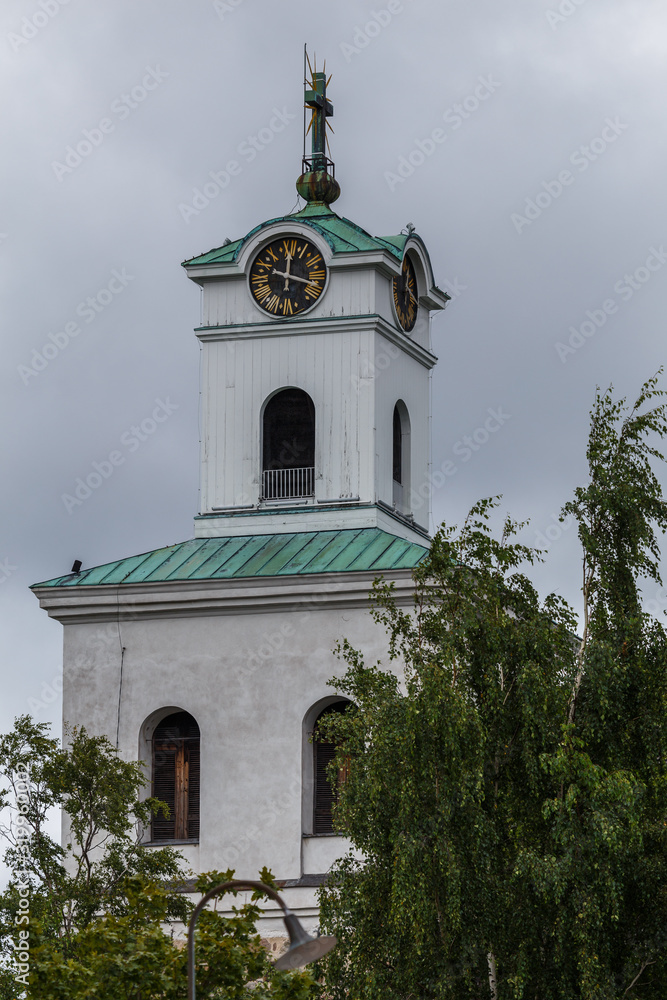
x=289, y=554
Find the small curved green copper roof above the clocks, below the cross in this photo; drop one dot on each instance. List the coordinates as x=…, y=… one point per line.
x=342, y=236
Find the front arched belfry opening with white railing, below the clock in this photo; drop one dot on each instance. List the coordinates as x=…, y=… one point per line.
x=288, y=446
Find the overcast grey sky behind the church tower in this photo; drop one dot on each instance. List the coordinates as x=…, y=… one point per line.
x=541, y=198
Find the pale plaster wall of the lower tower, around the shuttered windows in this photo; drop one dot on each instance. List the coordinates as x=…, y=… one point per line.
x=249, y=680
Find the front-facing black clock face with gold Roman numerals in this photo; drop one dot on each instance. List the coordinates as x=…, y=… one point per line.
x=287, y=276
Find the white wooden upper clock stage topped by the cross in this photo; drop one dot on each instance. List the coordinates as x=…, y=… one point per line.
x=315, y=406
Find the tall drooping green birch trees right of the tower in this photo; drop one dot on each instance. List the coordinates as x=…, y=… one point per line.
x=509, y=795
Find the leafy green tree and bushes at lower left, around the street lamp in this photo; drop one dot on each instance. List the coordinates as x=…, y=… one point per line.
x=98, y=914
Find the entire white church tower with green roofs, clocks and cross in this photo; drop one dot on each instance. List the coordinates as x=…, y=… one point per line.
x=209, y=660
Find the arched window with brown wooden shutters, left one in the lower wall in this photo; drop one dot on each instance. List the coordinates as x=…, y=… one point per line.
x=176, y=777
